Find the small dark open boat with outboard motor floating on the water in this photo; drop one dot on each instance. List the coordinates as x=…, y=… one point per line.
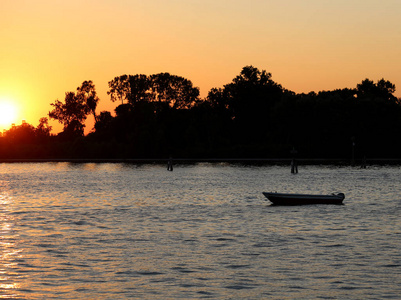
x=302, y=199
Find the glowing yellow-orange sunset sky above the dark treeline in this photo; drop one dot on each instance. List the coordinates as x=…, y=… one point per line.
x=49, y=47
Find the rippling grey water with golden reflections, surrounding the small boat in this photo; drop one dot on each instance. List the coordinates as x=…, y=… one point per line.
x=118, y=231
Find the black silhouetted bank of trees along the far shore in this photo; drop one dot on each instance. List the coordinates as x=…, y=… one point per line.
x=162, y=115
